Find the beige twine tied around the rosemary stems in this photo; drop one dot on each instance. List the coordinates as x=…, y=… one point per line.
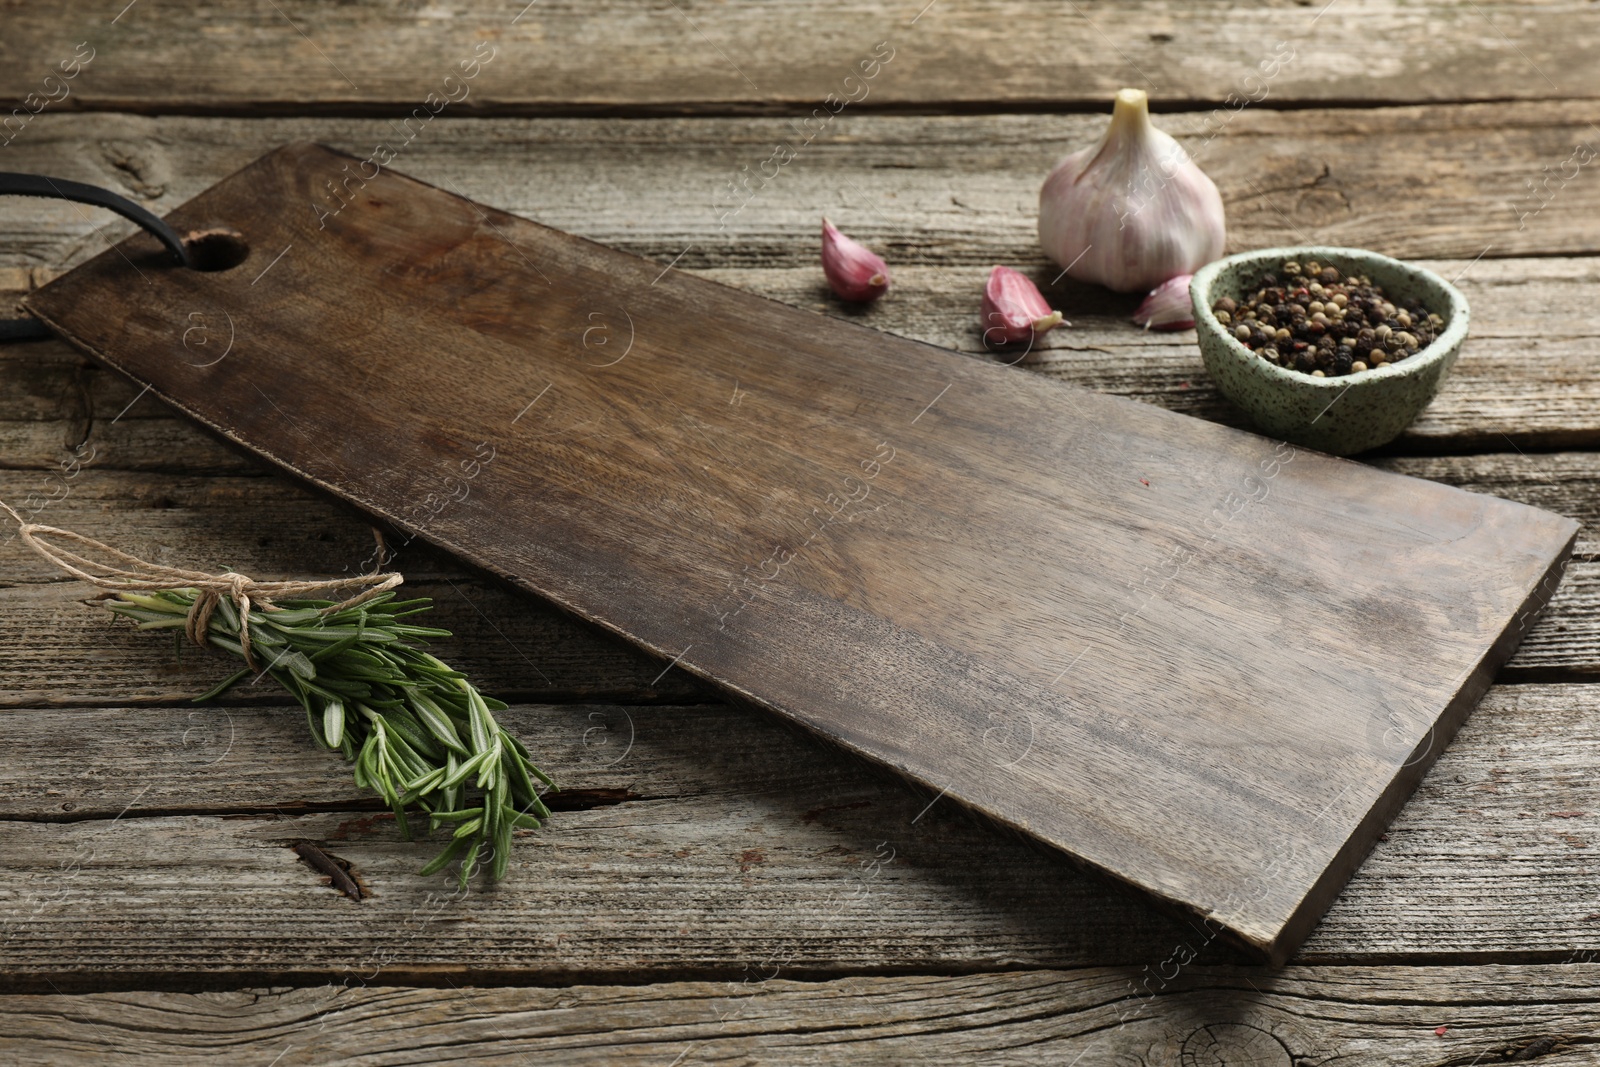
x=145, y=577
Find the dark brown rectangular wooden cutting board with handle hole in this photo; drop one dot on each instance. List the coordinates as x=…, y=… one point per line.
x=1193, y=658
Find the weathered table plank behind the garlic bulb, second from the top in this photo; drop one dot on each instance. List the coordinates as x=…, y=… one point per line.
x=927, y=191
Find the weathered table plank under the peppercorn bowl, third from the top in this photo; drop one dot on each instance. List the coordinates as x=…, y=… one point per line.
x=1505, y=396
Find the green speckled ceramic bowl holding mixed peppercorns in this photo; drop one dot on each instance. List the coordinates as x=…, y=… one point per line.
x=1335, y=415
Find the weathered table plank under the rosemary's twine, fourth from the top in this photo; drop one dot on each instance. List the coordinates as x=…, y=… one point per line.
x=65, y=653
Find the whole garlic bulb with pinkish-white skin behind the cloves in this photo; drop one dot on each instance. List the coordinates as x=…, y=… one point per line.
x=1134, y=210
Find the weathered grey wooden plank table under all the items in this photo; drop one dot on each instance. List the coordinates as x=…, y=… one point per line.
x=718, y=889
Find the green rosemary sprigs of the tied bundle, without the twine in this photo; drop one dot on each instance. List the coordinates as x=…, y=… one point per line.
x=418, y=733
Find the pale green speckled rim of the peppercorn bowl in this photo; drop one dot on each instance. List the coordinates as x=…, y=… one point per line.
x=1447, y=343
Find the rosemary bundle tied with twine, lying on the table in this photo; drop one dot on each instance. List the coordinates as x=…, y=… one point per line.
x=417, y=732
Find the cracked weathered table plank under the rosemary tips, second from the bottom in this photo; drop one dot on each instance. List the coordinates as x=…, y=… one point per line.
x=734, y=844
